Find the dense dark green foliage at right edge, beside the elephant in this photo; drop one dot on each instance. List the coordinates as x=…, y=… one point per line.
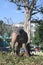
x=38, y=34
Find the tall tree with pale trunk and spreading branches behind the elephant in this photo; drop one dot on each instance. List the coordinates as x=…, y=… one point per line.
x=30, y=9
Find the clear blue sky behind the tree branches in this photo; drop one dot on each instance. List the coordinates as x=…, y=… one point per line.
x=9, y=12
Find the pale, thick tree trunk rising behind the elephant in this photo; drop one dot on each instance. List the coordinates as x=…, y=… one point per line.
x=27, y=22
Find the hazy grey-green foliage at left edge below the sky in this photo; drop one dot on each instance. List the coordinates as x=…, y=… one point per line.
x=5, y=28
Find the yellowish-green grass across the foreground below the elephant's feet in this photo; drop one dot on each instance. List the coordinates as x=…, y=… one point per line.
x=8, y=59
